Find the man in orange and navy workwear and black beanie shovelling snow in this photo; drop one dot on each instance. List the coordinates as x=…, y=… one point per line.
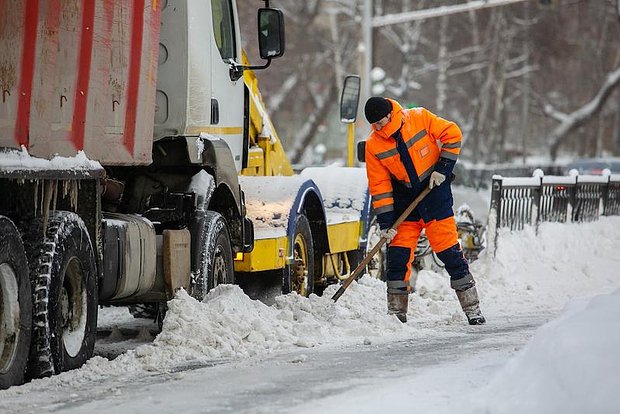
x=402, y=158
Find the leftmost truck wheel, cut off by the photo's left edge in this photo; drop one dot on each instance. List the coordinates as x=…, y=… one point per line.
x=15, y=306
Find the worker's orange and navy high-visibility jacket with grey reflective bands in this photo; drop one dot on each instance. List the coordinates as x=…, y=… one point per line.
x=433, y=144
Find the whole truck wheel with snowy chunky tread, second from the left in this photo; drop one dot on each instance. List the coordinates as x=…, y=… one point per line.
x=64, y=281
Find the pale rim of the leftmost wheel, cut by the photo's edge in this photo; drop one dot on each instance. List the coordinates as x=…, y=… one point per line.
x=9, y=316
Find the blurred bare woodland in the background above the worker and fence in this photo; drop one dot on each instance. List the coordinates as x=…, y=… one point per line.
x=485, y=70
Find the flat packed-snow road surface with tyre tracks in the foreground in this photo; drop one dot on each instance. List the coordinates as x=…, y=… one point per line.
x=339, y=378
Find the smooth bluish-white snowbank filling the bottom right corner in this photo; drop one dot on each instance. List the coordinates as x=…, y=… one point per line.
x=570, y=366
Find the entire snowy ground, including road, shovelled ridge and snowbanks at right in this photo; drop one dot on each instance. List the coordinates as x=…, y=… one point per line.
x=233, y=354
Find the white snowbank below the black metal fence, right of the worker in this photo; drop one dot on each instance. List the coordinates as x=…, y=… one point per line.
x=541, y=272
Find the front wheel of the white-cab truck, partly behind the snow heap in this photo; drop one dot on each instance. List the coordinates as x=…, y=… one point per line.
x=214, y=264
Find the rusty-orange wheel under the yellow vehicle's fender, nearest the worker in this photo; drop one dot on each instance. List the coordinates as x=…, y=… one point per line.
x=299, y=276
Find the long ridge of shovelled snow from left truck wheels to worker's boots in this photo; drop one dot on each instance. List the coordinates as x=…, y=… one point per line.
x=229, y=325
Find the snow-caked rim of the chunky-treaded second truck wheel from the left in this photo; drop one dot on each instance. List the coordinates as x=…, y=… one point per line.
x=73, y=309
